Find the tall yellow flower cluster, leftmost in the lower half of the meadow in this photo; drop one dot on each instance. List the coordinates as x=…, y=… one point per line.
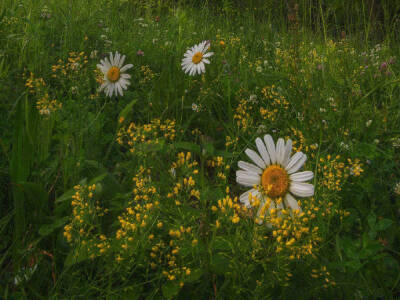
x=83, y=229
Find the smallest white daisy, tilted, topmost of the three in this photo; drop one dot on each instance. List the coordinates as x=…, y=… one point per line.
x=194, y=59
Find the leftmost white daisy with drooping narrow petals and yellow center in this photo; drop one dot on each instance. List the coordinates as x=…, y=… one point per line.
x=115, y=81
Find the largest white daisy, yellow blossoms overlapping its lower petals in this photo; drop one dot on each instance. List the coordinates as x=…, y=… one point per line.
x=274, y=176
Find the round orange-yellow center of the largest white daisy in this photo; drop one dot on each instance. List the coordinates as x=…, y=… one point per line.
x=275, y=181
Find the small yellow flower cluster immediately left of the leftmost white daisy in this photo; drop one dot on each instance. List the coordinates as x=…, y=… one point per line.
x=72, y=66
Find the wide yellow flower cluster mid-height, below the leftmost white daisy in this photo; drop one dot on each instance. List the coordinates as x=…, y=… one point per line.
x=148, y=134
